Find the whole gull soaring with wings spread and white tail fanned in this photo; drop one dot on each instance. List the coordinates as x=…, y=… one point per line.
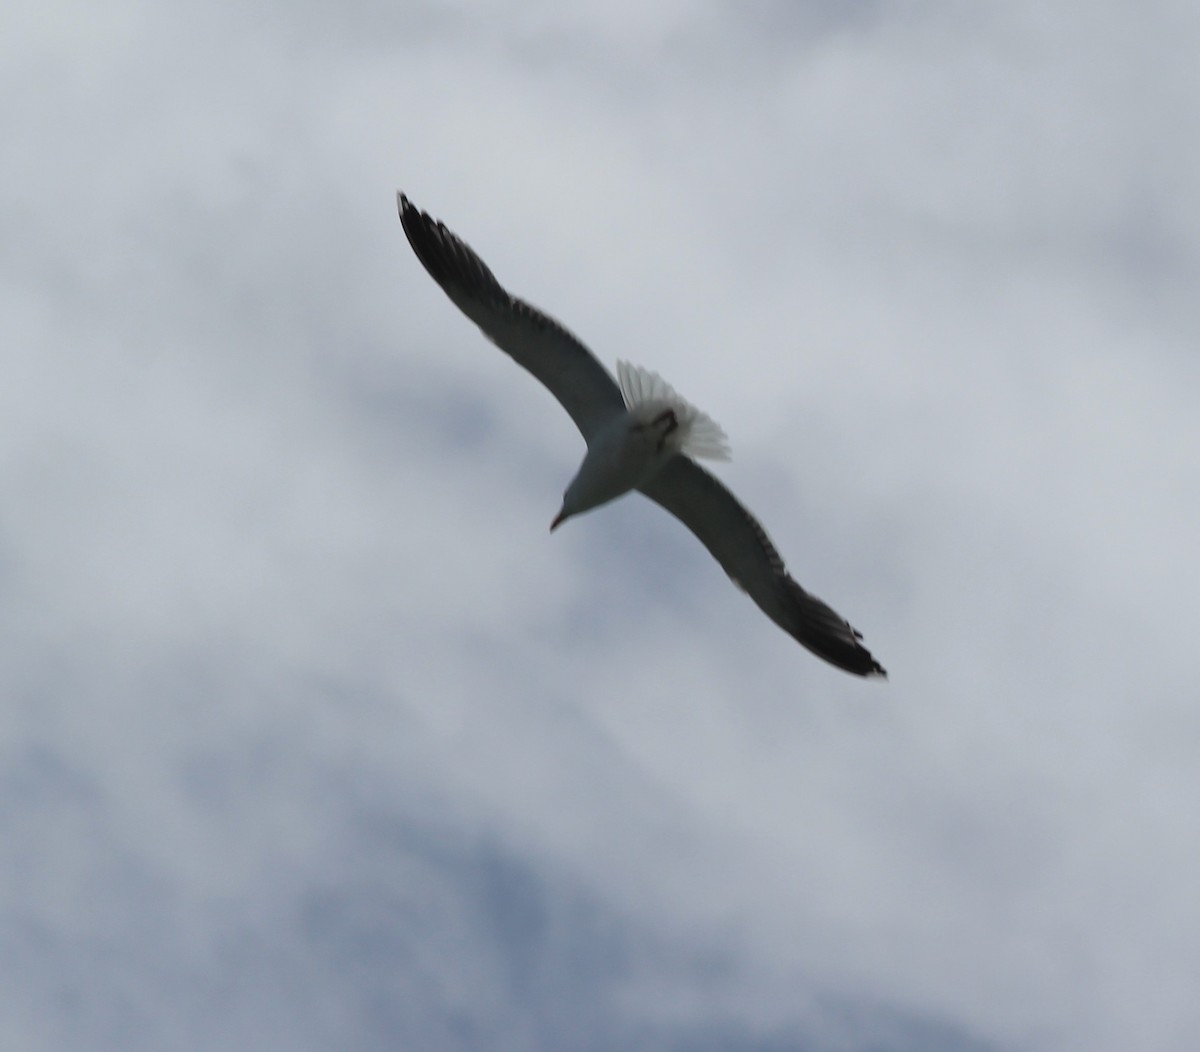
x=640, y=436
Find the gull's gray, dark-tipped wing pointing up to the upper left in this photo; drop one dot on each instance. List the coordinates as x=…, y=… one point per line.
x=533, y=340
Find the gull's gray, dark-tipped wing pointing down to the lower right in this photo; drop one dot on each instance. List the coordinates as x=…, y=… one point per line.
x=741, y=545
